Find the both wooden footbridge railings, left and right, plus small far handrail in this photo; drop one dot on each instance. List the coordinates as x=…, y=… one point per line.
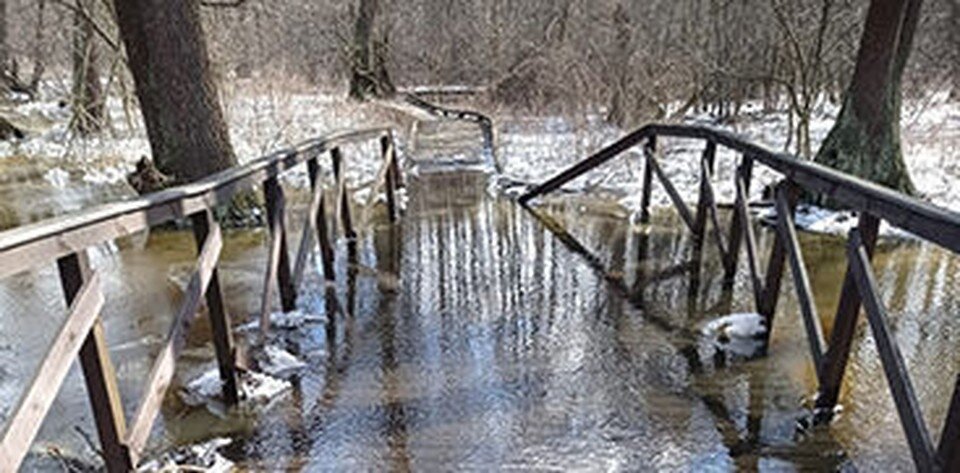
x=67, y=240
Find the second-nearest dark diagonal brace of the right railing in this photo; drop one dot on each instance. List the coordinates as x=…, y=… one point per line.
x=801, y=281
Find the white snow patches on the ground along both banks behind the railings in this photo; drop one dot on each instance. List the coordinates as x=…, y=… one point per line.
x=265, y=117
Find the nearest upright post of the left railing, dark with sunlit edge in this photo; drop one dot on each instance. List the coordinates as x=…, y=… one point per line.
x=98, y=372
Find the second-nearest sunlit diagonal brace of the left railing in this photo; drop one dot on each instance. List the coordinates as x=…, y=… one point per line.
x=164, y=365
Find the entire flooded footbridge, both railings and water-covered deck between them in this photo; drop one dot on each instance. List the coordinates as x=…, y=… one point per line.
x=464, y=331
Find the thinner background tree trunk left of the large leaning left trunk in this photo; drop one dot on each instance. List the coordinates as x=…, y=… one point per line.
x=87, y=91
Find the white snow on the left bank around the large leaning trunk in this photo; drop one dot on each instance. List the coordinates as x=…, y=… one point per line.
x=261, y=119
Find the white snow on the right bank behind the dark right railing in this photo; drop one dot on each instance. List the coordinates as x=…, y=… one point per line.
x=532, y=150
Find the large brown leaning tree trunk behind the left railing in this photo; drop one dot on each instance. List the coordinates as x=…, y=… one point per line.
x=178, y=97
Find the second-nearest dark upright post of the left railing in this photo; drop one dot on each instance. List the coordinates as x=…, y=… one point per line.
x=203, y=222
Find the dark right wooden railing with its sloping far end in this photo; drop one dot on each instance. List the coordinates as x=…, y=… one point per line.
x=873, y=205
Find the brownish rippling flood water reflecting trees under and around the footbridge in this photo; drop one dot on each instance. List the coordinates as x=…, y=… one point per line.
x=470, y=337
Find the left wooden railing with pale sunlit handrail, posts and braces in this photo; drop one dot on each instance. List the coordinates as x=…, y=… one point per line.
x=67, y=239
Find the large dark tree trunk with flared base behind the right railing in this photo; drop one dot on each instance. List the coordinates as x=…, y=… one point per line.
x=865, y=140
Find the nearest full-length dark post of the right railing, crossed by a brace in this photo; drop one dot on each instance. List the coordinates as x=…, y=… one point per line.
x=844, y=324
